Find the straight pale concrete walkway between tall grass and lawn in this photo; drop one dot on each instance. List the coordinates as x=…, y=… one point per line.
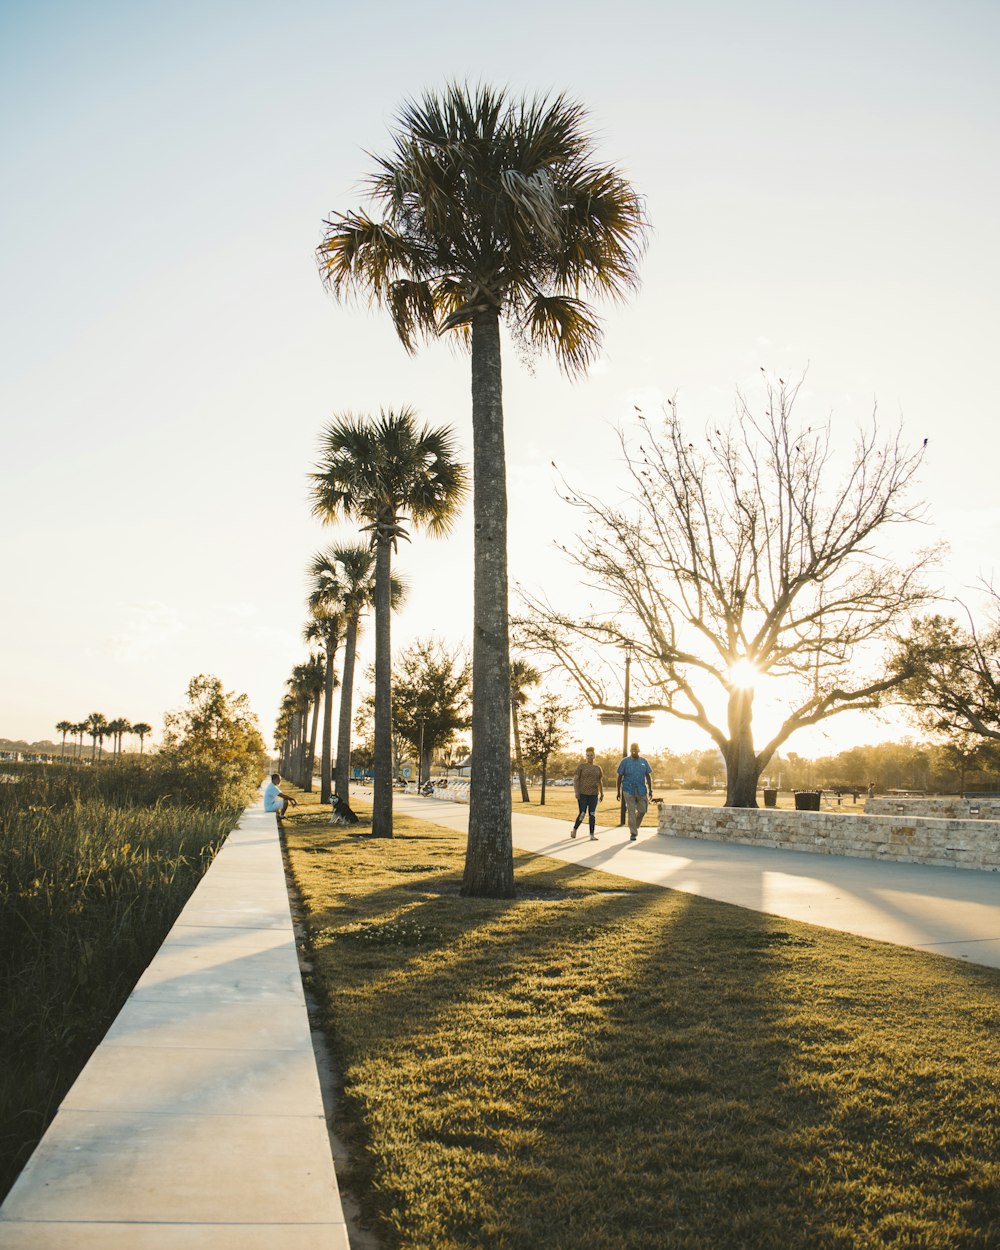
x=198, y=1123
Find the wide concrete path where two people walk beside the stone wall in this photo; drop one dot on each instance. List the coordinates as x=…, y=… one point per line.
x=949, y=912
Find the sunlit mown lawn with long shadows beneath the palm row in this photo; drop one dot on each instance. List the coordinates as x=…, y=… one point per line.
x=607, y=1064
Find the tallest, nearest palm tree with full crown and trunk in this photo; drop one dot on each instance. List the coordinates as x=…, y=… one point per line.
x=494, y=209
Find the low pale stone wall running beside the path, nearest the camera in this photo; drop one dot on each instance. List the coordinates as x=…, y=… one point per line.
x=919, y=841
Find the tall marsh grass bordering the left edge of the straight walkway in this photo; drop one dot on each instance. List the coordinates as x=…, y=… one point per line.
x=91, y=883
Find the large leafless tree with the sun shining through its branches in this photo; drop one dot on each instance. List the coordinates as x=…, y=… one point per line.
x=744, y=559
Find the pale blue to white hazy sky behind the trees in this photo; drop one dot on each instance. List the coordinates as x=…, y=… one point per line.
x=822, y=182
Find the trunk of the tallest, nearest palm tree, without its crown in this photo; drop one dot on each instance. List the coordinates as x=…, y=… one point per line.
x=489, y=859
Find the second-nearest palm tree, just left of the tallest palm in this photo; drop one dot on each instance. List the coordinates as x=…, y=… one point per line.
x=387, y=473
